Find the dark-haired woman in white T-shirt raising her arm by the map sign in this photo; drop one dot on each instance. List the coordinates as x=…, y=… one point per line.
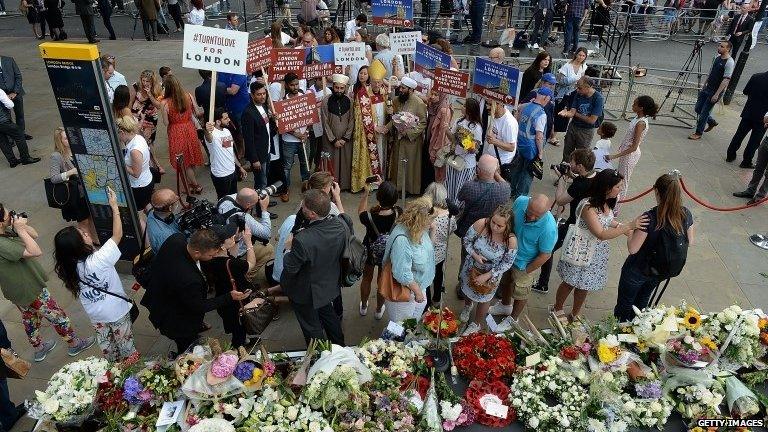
x=90, y=275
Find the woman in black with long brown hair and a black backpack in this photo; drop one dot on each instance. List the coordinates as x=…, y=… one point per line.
x=635, y=287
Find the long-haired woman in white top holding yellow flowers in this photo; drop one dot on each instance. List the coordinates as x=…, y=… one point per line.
x=466, y=135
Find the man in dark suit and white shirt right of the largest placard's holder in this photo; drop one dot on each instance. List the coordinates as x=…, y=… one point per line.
x=258, y=130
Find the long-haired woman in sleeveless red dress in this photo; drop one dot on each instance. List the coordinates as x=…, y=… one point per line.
x=179, y=108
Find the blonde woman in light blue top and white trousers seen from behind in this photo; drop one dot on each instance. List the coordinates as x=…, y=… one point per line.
x=412, y=255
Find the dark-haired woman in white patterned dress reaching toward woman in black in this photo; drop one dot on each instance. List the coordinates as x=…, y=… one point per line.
x=594, y=219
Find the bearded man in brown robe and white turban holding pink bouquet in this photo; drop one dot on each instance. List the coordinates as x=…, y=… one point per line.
x=408, y=145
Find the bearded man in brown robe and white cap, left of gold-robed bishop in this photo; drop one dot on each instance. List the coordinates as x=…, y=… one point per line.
x=338, y=125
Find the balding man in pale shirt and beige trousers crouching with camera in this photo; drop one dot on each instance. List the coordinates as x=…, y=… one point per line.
x=239, y=207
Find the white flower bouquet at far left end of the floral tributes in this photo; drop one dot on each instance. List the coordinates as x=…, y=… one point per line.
x=69, y=398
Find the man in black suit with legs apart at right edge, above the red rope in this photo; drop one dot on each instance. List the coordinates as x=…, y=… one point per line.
x=751, y=119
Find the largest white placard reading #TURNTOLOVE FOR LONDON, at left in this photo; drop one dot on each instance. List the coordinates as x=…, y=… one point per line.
x=215, y=49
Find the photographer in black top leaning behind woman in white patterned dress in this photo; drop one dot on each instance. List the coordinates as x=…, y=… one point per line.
x=579, y=173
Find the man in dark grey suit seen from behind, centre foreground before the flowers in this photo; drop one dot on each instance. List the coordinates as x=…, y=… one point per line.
x=312, y=268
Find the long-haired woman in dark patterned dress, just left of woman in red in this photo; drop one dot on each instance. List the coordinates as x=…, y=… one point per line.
x=146, y=97
